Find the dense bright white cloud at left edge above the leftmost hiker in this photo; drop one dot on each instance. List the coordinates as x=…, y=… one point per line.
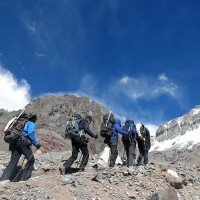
x=13, y=95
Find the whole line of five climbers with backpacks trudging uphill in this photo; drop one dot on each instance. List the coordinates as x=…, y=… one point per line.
x=19, y=133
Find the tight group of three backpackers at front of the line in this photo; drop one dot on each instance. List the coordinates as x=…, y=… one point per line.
x=132, y=135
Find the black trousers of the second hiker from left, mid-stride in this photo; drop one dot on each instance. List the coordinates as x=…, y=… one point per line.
x=76, y=146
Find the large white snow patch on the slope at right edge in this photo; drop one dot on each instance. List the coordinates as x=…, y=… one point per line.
x=188, y=140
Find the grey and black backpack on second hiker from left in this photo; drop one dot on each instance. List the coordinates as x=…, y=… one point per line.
x=72, y=126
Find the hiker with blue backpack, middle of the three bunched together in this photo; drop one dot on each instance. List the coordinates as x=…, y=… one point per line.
x=129, y=142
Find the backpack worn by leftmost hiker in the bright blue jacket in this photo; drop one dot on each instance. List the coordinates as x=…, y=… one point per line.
x=14, y=127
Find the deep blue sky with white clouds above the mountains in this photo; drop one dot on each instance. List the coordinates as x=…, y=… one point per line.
x=139, y=58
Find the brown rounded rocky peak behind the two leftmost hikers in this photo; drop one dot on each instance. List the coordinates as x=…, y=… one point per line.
x=53, y=112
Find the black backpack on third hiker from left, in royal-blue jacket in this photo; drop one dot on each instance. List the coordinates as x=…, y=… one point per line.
x=107, y=125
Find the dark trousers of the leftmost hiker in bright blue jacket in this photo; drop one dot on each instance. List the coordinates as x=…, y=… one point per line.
x=17, y=150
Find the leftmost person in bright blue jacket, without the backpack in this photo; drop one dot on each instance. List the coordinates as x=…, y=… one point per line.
x=23, y=146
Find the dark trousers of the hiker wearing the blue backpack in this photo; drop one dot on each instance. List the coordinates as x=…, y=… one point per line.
x=130, y=151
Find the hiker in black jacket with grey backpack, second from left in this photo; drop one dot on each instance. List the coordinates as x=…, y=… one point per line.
x=78, y=140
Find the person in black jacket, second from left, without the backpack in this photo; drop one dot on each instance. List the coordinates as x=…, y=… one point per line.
x=80, y=142
